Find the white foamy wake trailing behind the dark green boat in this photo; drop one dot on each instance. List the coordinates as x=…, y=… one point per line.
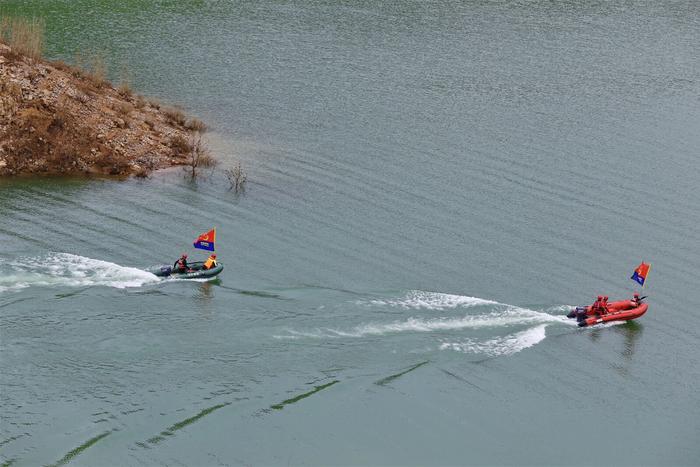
x=65, y=269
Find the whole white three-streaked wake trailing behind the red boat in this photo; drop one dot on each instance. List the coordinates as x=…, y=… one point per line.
x=467, y=324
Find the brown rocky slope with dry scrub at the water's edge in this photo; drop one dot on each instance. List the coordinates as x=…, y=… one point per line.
x=58, y=119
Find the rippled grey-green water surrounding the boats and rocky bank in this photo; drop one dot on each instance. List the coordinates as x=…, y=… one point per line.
x=431, y=185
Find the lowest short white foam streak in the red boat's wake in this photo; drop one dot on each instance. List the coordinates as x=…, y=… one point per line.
x=498, y=346
